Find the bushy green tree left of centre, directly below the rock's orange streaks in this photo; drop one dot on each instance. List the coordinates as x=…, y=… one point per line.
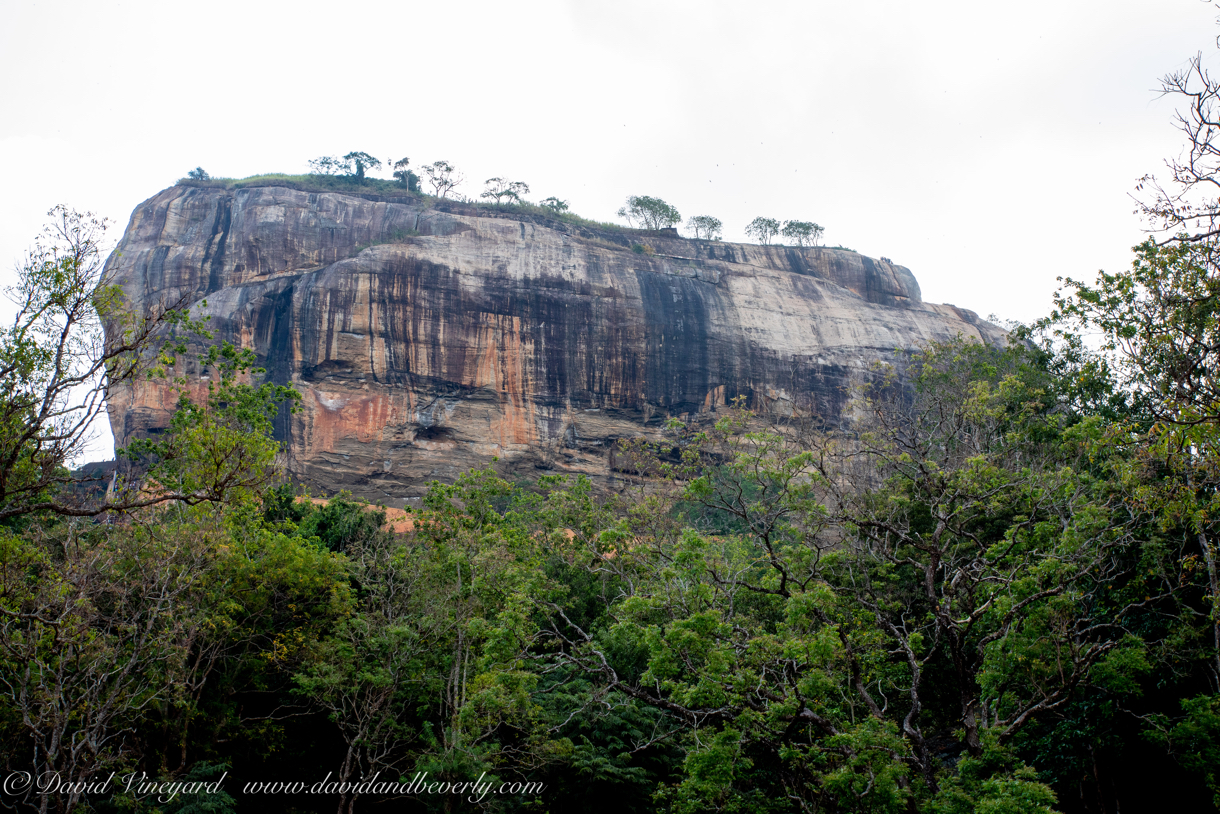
x=428, y=668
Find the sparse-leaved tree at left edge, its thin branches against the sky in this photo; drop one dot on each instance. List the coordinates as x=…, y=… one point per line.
x=73, y=342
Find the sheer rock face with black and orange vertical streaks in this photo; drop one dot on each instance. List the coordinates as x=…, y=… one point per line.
x=426, y=341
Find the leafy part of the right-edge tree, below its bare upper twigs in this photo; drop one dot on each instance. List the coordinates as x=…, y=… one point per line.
x=1157, y=325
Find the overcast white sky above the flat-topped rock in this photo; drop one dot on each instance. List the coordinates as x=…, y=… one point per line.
x=989, y=147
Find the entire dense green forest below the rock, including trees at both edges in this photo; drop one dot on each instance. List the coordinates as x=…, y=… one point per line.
x=994, y=590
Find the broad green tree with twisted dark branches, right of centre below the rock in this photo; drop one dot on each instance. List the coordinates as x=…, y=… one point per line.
x=806, y=618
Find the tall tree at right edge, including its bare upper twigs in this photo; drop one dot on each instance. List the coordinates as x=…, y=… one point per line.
x=1157, y=328
